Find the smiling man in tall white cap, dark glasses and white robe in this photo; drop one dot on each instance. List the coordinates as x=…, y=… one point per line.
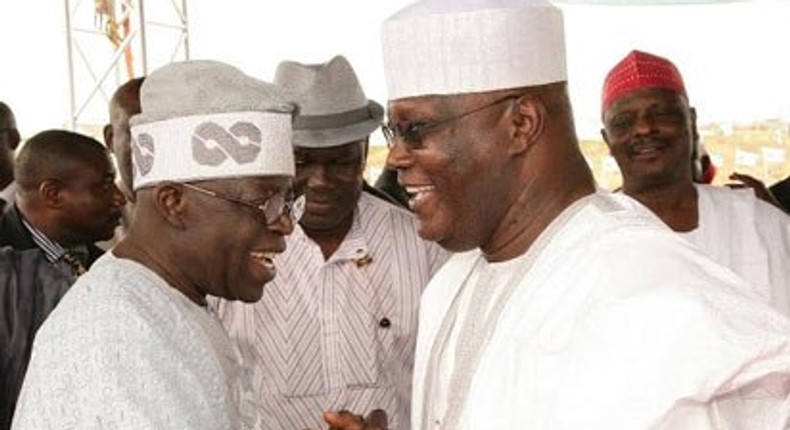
x=566, y=307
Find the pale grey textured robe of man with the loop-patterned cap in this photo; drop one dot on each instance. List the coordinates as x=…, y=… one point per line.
x=125, y=350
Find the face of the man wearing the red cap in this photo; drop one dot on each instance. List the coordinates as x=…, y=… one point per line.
x=650, y=133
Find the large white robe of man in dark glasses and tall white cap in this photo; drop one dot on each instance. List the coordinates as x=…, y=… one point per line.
x=609, y=322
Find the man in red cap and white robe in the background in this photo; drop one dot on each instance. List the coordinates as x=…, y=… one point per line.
x=651, y=130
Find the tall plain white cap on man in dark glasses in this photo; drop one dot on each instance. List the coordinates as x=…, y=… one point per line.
x=443, y=47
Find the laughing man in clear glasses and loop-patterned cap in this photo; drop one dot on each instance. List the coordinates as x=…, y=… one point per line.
x=132, y=344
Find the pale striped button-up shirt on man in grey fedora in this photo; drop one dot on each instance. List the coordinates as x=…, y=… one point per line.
x=339, y=333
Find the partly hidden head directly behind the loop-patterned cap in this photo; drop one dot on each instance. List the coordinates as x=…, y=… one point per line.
x=124, y=104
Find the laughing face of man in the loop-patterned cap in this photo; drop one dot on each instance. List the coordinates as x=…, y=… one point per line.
x=232, y=246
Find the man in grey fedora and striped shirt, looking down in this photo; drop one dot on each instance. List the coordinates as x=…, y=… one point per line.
x=337, y=328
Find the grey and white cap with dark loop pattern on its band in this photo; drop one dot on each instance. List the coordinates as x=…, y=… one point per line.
x=208, y=120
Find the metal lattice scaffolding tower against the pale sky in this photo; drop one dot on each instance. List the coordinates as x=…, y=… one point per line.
x=112, y=41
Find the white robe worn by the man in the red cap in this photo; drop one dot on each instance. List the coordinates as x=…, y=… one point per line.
x=749, y=236
